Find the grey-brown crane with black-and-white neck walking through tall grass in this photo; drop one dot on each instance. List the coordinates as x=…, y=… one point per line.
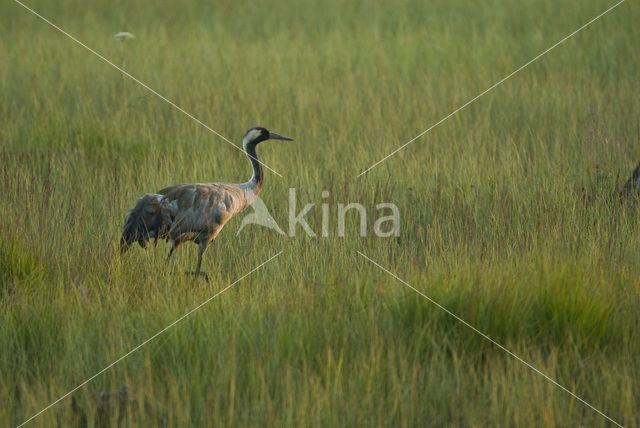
x=195, y=212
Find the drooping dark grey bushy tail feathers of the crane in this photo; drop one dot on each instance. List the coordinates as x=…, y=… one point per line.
x=148, y=219
